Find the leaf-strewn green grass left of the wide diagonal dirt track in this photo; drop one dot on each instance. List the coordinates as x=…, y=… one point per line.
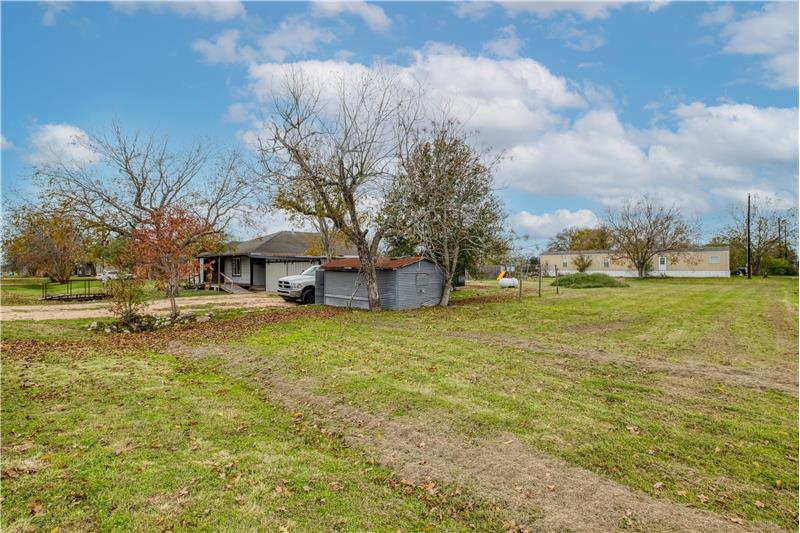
x=143, y=442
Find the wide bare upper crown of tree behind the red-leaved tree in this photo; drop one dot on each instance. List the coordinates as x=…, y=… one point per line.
x=136, y=177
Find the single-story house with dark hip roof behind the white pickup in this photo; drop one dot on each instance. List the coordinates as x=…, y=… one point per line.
x=259, y=263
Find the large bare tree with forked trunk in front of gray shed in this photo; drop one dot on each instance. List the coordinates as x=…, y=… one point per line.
x=344, y=154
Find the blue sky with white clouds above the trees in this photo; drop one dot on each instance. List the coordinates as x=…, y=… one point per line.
x=589, y=103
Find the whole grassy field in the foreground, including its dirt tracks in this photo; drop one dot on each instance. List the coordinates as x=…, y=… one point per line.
x=684, y=391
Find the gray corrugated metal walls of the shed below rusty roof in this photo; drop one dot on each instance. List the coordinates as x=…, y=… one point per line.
x=409, y=287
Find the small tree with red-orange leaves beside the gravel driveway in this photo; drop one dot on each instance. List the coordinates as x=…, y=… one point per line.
x=166, y=244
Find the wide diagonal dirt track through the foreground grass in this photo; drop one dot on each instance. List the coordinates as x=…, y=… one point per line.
x=540, y=492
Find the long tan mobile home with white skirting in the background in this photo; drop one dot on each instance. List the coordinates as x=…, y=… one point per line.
x=701, y=262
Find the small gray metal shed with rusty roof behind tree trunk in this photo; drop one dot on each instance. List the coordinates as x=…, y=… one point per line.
x=403, y=283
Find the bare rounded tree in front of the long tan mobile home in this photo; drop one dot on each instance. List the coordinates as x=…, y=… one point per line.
x=643, y=228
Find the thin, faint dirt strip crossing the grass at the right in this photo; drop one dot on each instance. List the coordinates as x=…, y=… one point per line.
x=758, y=378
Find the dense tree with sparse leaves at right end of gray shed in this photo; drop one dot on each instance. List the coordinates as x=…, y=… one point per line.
x=445, y=203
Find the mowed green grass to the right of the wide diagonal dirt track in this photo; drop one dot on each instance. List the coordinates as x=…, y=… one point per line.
x=697, y=441
